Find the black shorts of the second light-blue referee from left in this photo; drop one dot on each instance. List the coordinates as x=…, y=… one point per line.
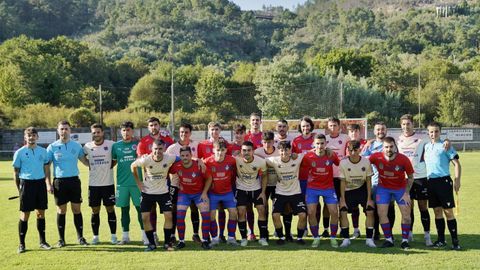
x=66, y=190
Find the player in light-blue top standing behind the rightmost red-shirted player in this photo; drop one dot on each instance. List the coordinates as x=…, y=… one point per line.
x=371, y=147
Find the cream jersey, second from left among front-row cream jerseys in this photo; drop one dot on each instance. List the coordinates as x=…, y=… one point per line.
x=248, y=173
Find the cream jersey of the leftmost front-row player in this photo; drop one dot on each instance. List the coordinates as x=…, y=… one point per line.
x=155, y=173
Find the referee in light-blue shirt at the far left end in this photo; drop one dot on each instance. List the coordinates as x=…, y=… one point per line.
x=30, y=165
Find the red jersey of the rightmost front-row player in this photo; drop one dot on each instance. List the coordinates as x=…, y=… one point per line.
x=391, y=174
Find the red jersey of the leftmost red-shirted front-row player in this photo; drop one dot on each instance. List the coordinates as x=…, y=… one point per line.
x=191, y=180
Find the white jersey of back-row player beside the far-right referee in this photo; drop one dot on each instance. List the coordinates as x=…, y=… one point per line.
x=412, y=147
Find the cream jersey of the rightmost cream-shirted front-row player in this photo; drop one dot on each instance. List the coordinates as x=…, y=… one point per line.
x=355, y=174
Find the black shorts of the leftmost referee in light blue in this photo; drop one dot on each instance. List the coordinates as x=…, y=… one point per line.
x=33, y=195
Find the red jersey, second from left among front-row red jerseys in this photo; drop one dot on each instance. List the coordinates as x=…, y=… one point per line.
x=223, y=174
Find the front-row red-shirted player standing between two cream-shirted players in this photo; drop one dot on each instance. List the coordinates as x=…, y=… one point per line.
x=319, y=168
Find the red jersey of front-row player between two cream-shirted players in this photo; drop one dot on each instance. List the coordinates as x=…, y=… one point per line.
x=320, y=170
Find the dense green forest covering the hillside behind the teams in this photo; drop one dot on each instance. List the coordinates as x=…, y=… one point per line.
x=370, y=58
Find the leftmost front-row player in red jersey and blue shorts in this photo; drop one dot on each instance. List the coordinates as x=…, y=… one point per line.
x=194, y=186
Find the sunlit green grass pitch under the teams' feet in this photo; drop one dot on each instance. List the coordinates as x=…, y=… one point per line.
x=290, y=256
